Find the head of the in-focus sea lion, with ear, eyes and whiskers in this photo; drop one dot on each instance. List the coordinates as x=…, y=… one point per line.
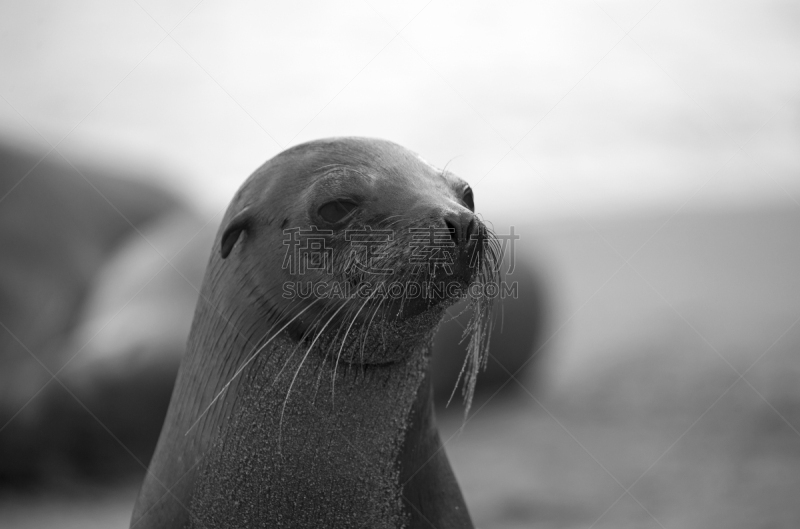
x=361, y=236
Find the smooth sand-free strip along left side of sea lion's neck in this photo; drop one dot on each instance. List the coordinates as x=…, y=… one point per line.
x=225, y=332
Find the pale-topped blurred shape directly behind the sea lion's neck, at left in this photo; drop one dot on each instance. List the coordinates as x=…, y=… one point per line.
x=129, y=342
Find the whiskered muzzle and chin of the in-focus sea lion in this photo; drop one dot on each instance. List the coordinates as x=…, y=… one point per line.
x=364, y=311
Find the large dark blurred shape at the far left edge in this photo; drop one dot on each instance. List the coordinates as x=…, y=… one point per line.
x=58, y=225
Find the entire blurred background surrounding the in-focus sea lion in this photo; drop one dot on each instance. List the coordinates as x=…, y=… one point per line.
x=647, y=154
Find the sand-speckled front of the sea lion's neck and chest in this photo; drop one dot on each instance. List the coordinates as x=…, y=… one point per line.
x=313, y=441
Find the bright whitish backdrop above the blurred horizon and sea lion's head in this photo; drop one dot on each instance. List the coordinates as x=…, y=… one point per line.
x=547, y=108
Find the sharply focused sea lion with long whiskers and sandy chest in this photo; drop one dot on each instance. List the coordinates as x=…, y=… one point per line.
x=297, y=408
